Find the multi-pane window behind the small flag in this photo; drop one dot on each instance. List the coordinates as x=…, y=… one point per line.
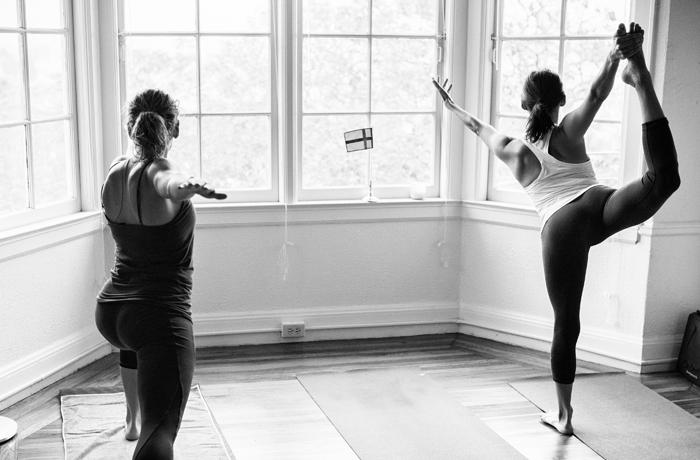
x=368, y=63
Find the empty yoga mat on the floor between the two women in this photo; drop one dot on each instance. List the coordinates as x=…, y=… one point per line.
x=402, y=414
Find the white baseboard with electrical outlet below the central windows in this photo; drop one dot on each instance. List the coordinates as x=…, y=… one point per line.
x=340, y=322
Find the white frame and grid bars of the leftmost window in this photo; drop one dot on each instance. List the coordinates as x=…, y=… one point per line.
x=33, y=214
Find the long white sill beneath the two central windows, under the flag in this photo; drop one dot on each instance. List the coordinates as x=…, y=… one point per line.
x=314, y=212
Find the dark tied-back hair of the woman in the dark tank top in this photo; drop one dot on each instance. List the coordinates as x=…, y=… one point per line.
x=152, y=123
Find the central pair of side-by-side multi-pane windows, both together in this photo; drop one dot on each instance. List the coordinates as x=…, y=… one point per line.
x=267, y=83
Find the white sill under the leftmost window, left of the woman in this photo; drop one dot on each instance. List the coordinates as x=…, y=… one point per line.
x=22, y=240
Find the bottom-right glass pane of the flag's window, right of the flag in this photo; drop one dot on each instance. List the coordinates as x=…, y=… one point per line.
x=404, y=150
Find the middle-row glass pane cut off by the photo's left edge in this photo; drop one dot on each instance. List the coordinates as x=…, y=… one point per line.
x=11, y=92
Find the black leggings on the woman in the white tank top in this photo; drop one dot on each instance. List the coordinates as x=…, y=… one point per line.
x=594, y=216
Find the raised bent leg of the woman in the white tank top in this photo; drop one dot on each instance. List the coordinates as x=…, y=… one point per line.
x=637, y=201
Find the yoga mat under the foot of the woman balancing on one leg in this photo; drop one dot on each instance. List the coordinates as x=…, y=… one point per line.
x=621, y=419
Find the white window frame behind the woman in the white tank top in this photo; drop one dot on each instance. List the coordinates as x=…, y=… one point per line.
x=631, y=163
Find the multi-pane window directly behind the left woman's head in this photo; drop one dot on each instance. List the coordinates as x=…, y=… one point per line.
x=216, y=58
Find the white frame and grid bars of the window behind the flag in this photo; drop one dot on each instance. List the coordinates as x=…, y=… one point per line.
x=353, y=192
